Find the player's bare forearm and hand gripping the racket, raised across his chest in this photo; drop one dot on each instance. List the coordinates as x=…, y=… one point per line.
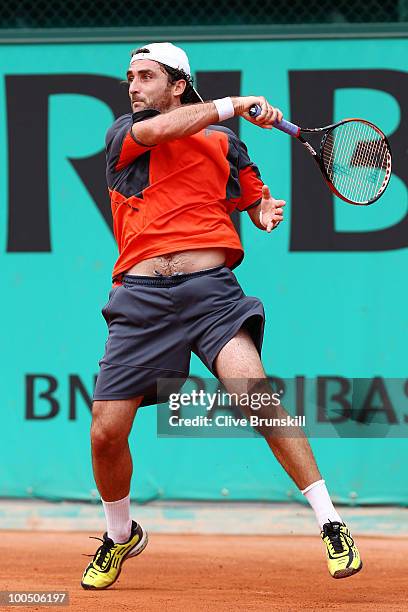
x=190, y=119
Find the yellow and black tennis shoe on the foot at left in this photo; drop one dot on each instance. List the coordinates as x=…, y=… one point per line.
x=107, y=562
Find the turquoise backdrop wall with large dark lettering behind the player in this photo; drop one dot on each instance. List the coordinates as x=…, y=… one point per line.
x=329, y=312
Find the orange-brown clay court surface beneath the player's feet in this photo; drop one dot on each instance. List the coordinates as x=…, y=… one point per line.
x=217, y=573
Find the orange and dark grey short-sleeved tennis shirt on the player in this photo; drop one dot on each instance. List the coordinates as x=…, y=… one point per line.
x=178, y=195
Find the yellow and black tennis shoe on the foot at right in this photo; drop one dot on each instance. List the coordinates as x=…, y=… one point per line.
x=343, y=558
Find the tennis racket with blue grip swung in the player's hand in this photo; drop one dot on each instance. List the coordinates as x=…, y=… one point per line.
x=354, y=157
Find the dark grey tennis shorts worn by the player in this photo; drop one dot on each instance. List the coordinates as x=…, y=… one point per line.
x=155, y=322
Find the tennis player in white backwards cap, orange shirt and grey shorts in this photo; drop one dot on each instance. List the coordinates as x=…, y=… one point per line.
x=174, y=178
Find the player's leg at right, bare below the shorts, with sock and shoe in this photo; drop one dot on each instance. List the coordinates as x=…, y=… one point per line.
x=238, y=362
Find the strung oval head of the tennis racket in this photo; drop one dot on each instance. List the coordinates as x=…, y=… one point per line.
x=357, y=161
